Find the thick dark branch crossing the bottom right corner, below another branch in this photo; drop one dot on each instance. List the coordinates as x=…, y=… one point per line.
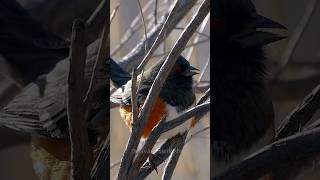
x=272, y=156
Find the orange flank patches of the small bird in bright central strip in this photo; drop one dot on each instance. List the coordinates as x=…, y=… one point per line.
x=157, y=113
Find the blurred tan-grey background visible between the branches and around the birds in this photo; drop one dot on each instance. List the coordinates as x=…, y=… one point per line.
x=296, y=80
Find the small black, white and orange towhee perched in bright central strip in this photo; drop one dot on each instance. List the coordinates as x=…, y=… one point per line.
x=176, y=96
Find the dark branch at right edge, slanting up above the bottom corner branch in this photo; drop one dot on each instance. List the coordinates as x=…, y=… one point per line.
x=300, y=115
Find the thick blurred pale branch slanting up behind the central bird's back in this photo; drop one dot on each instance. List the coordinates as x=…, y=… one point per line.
x=136, y=55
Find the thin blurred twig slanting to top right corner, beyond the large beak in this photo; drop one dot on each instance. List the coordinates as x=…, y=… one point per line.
x=296, y=37
